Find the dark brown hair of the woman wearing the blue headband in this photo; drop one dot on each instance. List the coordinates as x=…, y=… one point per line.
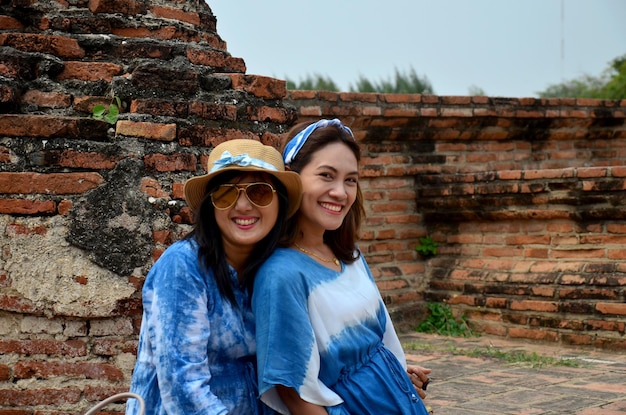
x=342, y=240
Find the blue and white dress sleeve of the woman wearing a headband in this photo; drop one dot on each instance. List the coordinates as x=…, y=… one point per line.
x=287, y=351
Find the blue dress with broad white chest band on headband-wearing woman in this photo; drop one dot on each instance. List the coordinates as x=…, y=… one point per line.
x=328, y=335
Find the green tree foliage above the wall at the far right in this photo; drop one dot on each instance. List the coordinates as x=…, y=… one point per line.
x=611, y=84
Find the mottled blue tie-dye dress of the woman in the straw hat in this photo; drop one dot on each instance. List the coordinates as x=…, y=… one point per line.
x=196, y=350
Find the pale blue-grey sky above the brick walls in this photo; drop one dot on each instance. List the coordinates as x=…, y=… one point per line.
x=507, y=48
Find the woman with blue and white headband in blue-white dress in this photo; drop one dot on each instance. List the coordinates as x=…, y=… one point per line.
x=325, y=342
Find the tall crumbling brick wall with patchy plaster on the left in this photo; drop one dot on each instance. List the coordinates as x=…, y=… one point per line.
x=85, y=206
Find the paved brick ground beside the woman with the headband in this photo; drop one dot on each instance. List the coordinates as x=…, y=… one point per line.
x=476, y=376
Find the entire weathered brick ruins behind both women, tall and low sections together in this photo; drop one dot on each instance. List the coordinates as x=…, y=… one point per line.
x=524, y=196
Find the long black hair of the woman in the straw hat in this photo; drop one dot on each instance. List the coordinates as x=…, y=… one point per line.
x=207, y=234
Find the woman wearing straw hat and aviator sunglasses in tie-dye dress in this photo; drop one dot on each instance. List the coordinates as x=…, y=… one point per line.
x=196, y=345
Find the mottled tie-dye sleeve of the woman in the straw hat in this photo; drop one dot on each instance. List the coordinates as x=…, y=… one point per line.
x=179, y=329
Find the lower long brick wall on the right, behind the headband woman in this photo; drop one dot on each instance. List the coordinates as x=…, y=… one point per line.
x=526, y=198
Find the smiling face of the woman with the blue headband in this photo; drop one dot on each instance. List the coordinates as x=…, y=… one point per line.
x=329, y=183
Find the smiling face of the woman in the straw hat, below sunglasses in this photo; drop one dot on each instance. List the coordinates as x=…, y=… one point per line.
x=244, y=224
